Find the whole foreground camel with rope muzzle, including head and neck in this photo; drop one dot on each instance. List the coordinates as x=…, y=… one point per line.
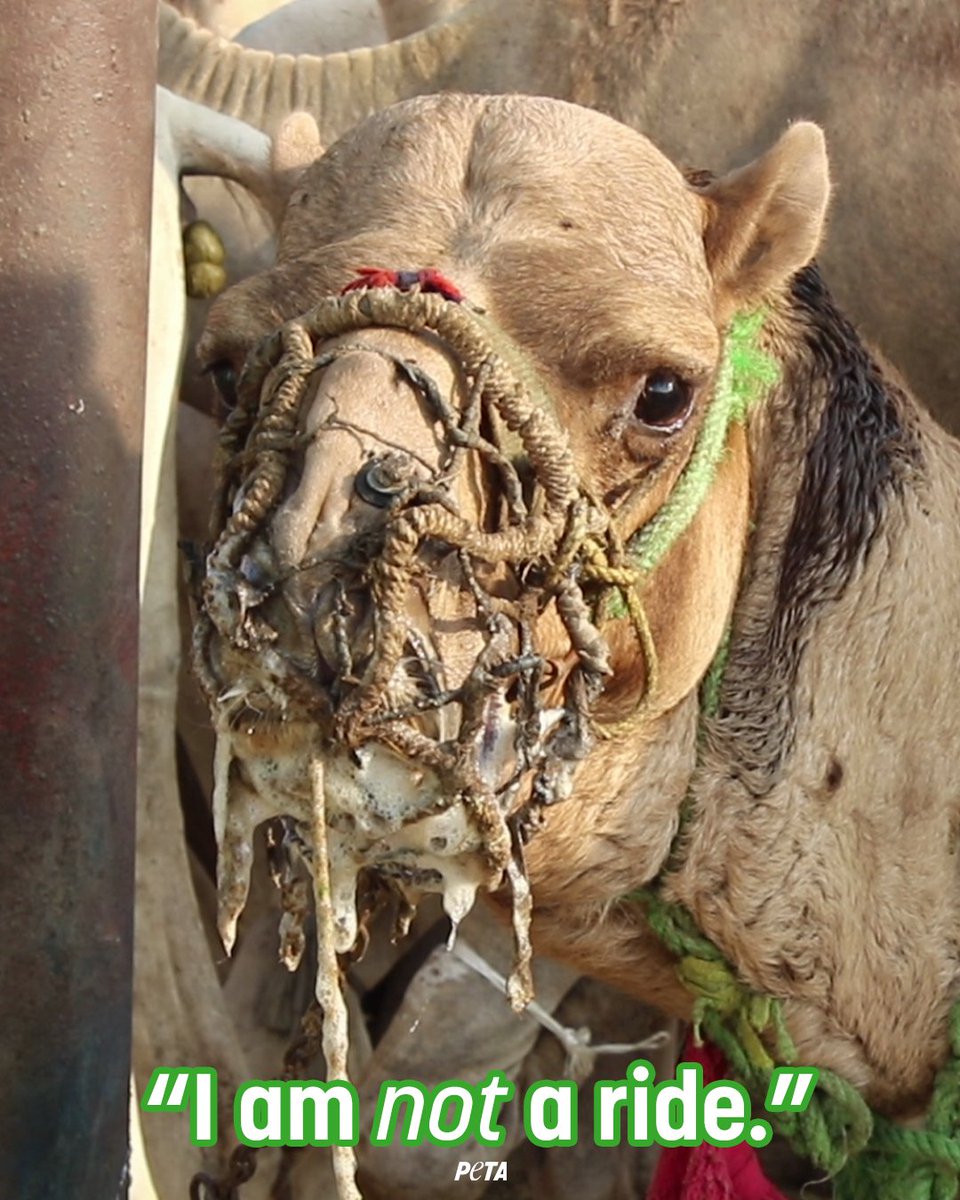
x=469, y=585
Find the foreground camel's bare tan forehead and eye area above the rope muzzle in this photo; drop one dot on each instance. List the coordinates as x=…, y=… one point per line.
x=583, y=243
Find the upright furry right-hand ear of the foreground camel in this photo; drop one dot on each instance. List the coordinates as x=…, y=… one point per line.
x=766, y=220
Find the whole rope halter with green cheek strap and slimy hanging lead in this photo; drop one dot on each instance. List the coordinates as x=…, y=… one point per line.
x=544, y=544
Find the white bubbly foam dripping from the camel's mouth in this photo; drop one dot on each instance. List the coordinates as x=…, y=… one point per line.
x=382, y=813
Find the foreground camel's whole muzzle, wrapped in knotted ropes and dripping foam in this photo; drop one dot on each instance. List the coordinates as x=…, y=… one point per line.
x=412, y=683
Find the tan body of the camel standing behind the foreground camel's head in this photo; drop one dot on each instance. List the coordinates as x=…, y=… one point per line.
x=707, y=82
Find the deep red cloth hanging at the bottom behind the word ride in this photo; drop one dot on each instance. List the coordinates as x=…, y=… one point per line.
x=711, y=1173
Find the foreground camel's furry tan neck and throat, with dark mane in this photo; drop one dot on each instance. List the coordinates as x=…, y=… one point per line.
x=824, y=854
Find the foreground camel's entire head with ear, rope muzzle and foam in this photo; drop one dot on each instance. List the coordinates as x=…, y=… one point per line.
x=481, y=525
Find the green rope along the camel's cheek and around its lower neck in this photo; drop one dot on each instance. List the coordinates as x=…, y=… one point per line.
x=869, y=1157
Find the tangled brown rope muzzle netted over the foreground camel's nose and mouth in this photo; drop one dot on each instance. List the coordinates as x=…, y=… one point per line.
x=549, y=536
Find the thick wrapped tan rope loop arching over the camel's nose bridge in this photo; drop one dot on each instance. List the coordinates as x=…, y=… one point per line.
x=566, y=530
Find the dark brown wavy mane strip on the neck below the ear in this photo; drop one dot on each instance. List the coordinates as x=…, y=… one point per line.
x=833, y=453
